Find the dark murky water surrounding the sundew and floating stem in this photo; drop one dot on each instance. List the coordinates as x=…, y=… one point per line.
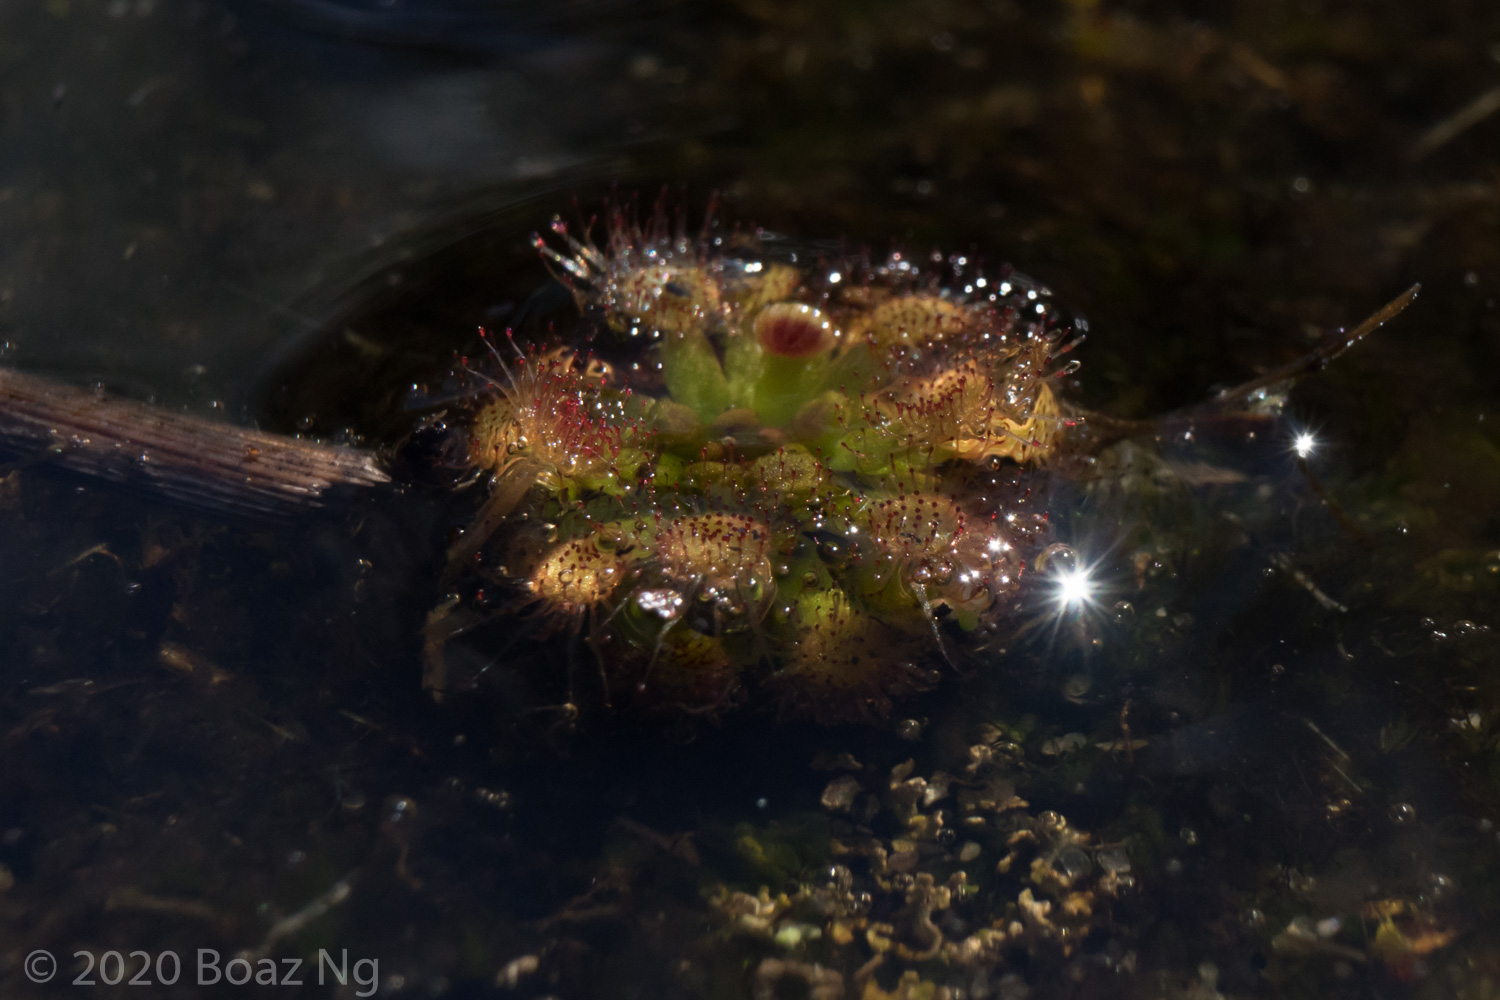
x=214, y=737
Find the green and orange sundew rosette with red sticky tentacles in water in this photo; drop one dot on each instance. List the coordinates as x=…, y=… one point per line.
x=797, y=484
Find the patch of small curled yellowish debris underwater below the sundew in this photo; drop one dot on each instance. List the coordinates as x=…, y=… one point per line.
x=970, y=878
